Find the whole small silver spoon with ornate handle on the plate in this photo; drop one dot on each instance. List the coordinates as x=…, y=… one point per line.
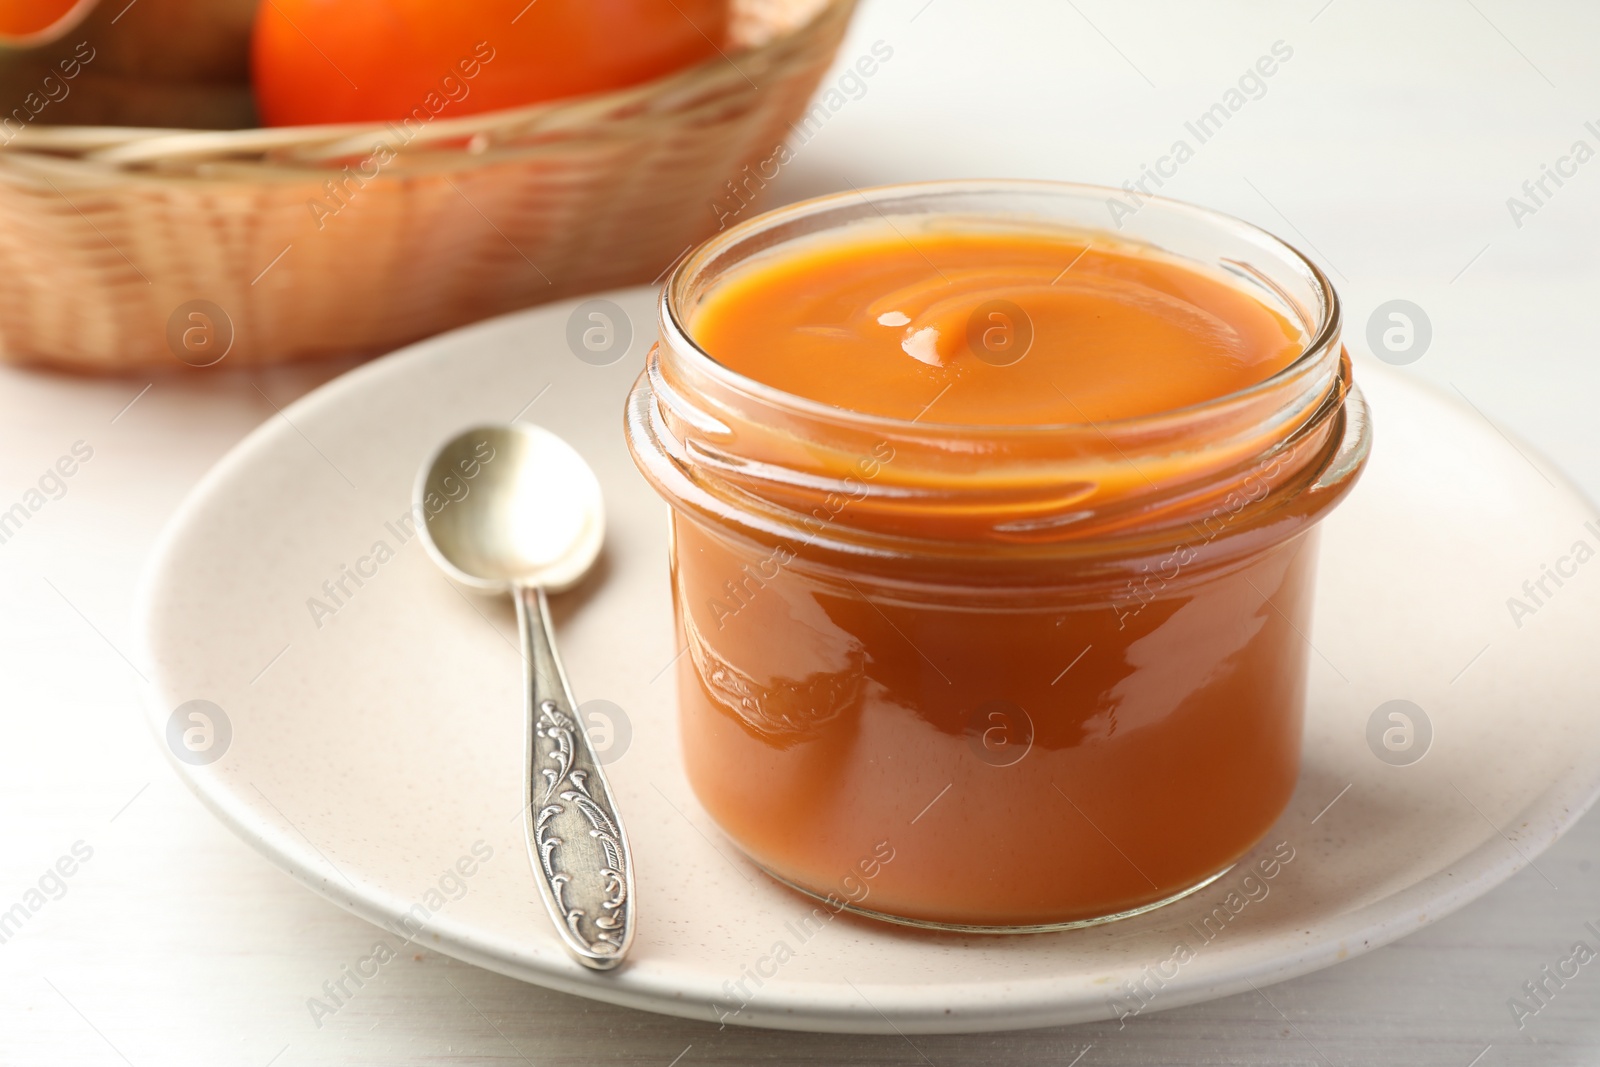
x=516, y=510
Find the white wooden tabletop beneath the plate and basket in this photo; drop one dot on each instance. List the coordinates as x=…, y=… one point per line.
x=1388, y=145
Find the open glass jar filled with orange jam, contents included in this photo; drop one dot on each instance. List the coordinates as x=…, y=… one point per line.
x=994, y=545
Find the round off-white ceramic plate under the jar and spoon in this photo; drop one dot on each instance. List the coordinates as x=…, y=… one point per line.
x=374, y=749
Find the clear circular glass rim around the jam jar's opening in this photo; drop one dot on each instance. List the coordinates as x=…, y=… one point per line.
x=1322, y=337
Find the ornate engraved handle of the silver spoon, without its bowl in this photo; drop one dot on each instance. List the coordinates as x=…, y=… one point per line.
x=575, y=833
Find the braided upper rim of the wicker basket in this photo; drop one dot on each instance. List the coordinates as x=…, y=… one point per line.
x=297, y=151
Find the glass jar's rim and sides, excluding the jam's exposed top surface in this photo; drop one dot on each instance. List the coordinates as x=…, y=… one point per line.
x=1086, y=698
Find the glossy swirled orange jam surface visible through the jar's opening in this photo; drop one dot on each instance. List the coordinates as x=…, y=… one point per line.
x=881, y=326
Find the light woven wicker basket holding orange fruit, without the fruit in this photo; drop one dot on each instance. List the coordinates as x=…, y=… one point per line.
x=108, y=236
